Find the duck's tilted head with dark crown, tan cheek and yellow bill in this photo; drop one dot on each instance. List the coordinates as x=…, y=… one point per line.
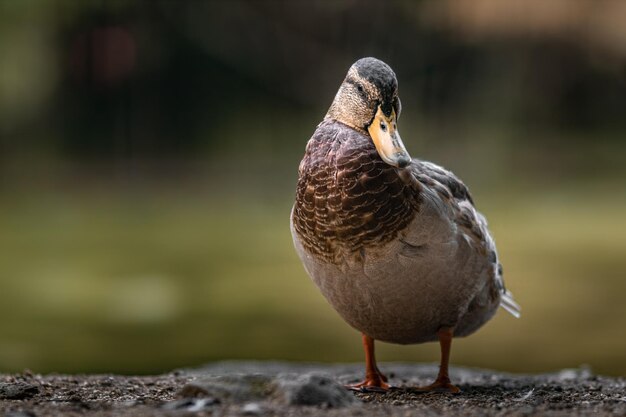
x=368, y=101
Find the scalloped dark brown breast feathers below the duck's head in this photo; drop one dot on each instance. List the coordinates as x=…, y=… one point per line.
x=347, y=198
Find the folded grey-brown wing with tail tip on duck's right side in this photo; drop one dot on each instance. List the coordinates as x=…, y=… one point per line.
x=467, y=218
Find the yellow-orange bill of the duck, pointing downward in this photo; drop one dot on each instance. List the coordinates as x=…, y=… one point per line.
x=387, y=139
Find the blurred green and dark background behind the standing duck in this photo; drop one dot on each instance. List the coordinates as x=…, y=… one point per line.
x=149, y=154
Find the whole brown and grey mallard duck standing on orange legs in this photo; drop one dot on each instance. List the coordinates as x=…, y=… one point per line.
x=393, y=243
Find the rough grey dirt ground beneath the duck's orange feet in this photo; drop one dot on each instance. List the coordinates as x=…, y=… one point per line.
x=283, y=389
